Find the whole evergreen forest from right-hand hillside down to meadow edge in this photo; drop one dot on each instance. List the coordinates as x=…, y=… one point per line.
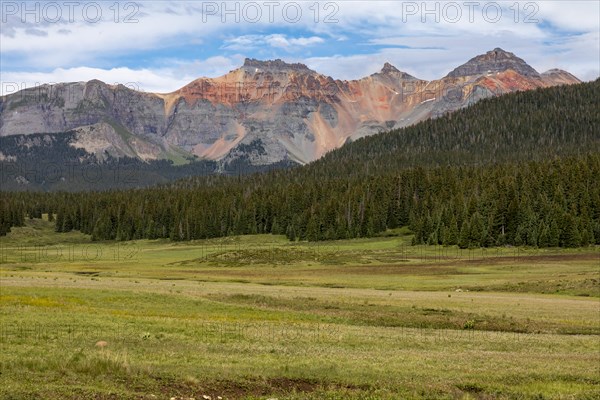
x=521, y=169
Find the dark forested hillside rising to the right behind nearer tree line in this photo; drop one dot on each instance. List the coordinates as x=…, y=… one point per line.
x=526, y=126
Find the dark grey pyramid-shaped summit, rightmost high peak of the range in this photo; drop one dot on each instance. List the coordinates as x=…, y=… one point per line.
x=497, y=60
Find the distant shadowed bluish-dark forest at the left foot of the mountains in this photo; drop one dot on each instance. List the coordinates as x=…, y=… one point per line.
x=48, y=162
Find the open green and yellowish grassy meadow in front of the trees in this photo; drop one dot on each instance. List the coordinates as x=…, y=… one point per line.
x=258, y=317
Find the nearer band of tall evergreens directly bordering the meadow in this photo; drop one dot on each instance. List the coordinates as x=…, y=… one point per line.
x=545, y=203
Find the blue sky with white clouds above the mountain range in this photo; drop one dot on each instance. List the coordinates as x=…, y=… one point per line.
x=161, y=46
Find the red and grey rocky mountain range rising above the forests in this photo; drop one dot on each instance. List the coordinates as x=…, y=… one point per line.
x=265, y=111
